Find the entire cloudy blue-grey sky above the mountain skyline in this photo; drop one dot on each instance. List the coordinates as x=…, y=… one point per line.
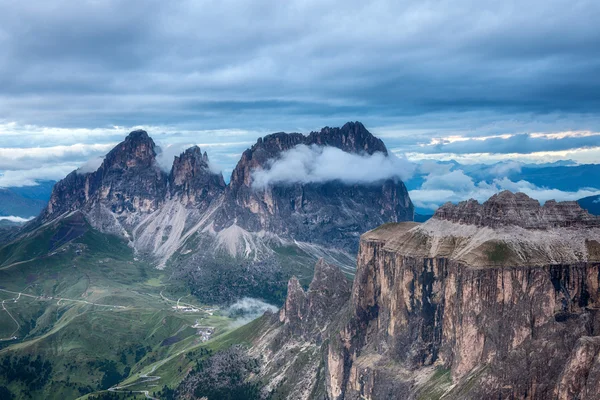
x=470, y=80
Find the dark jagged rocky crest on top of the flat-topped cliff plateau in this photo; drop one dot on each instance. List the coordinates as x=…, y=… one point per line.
x=518, y=209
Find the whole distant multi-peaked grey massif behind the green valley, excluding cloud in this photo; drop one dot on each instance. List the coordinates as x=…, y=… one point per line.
x=189, y=216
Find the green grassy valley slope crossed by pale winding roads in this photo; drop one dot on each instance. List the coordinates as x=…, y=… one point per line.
x=119, y=334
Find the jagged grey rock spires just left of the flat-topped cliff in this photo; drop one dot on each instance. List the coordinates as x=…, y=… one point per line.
x=290, y=344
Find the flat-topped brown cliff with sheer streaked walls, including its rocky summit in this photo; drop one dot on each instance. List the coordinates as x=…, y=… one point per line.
x=502, y=329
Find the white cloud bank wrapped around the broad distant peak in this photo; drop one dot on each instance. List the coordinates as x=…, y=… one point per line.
x=317, y=164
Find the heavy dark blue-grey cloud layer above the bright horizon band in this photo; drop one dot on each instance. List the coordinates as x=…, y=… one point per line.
x=86, y=63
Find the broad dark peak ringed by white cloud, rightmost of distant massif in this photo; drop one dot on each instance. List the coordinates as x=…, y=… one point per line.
x=332, y=213
